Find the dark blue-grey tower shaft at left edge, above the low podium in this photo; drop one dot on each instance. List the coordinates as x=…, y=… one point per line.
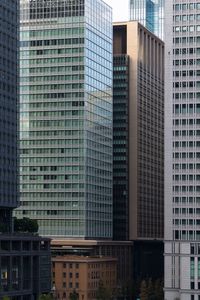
x=8, y=111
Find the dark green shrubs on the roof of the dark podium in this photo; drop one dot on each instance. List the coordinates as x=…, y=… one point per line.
x=25, y=225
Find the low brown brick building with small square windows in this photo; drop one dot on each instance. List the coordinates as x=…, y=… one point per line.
x=83, y=275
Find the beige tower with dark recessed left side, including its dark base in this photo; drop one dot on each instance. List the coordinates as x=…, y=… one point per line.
x=138, y=143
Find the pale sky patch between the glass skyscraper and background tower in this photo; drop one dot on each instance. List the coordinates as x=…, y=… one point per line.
x=120, y=9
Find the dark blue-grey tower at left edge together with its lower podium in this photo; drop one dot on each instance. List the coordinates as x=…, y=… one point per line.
x=21, y=276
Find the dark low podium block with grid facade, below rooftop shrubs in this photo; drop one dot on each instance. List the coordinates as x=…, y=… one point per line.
x=25, y=266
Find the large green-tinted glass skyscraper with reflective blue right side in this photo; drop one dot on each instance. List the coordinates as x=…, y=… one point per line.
x=66, y=117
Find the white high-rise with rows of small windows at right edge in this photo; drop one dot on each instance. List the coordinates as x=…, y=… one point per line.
x=182, y=150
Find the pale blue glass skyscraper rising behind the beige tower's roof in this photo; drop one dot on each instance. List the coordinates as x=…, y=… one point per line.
x=150, y=13
